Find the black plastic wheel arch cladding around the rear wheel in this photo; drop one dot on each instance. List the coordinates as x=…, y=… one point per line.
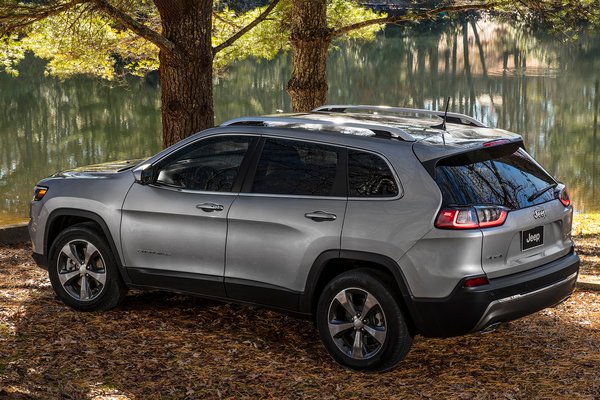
x=334, y=262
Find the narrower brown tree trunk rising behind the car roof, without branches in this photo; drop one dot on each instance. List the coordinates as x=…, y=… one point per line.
x=310, y=39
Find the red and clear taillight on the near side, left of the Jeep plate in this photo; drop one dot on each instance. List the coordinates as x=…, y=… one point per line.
x=470, y=218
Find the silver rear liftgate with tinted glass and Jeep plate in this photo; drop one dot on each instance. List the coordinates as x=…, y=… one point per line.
x=537, y=227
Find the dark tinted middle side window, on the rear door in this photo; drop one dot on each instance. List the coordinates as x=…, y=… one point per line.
x=298, y=168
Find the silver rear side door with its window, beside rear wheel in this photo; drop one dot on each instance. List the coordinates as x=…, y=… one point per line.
x=290, y=211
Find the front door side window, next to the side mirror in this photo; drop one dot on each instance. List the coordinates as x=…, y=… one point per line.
x=207, y=165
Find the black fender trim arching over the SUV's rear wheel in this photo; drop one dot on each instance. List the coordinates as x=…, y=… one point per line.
x=307, y=300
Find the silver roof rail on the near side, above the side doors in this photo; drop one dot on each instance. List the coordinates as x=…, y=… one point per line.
x=377, y=130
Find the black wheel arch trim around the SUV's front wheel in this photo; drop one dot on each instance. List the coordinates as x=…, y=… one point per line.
x=62, y=218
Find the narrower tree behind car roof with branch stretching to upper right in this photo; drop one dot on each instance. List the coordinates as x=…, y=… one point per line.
x=312, y=32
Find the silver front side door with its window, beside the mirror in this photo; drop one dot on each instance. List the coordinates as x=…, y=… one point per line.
x=173, y=230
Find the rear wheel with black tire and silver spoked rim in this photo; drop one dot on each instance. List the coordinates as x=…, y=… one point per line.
x=377, y=341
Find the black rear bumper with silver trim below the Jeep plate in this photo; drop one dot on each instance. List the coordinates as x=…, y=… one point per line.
x=503, y=299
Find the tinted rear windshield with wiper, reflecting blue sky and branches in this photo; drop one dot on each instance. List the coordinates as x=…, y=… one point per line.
x=496, y=176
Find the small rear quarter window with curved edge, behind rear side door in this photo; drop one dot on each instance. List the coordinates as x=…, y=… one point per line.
x=369, y=176
